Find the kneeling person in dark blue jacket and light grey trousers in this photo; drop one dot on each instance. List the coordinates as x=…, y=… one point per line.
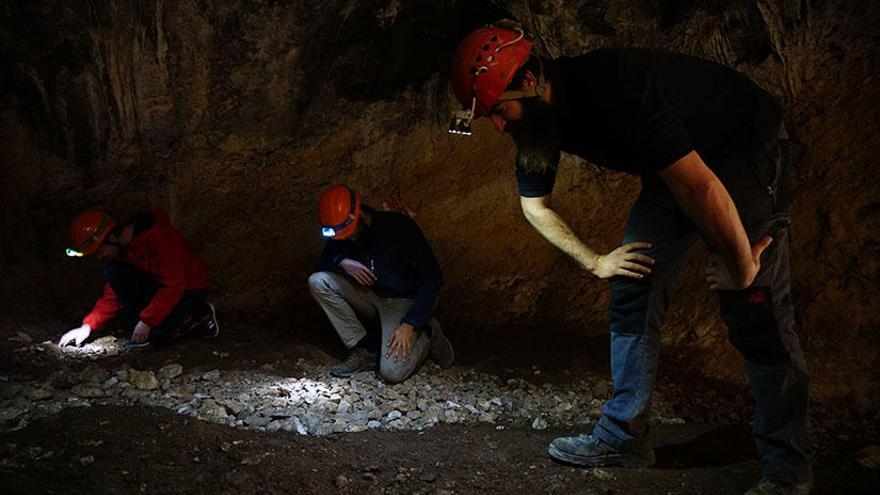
x=378, y=267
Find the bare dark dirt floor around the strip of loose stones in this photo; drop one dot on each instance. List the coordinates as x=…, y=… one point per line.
x=113, y=449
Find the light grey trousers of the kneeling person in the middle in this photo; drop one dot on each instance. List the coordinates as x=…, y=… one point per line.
x=348, y=303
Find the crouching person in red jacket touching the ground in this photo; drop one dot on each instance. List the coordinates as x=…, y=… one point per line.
x=152, y=275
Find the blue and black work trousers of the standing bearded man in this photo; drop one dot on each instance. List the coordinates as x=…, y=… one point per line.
x=760, y=319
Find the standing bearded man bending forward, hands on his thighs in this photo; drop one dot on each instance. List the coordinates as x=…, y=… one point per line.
x=710, y=149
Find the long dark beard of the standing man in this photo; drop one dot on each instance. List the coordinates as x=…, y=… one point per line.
x=537, y=135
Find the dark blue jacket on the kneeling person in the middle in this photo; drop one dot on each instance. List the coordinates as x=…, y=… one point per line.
x=394, y=247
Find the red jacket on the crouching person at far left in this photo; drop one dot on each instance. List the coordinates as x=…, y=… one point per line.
x=162, y=252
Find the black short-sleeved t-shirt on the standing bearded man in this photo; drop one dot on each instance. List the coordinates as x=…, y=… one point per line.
x=639, y=111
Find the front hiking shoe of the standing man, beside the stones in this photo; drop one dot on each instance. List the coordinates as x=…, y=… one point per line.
x=587, y=450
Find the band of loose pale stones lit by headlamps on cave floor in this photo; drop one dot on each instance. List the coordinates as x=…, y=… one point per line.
x=314, y=402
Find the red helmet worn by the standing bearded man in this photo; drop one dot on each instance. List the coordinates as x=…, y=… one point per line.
x=484, y=65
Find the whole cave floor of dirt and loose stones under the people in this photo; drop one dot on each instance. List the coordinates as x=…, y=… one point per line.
x=259, y=414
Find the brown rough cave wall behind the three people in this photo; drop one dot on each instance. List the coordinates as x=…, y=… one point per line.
x=234, y=115
